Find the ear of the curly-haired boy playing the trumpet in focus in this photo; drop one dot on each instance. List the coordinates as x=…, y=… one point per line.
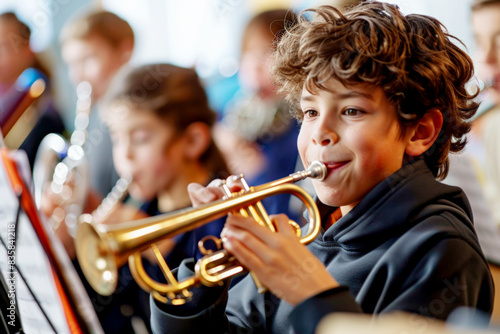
x=425, y=133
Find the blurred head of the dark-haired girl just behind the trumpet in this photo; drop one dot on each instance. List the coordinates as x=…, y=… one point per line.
x=161, y=129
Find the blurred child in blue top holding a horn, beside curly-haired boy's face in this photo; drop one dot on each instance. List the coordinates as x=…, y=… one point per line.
x=257, y=133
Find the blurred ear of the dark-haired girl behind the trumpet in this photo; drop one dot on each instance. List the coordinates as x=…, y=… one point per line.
x=198, y=137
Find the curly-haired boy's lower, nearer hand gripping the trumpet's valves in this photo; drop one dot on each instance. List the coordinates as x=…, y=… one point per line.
x=282, y=264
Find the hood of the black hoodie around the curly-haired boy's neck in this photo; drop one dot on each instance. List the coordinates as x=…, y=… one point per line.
x=396, y=205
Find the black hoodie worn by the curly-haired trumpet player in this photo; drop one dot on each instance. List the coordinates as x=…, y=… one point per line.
x=409, y=245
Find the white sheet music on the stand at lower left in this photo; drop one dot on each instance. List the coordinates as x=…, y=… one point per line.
x=31, y=261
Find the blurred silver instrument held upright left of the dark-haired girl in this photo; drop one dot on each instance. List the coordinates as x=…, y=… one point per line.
x=63, y=167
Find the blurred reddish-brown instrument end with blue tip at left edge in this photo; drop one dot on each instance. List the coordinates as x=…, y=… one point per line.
x=27, y=88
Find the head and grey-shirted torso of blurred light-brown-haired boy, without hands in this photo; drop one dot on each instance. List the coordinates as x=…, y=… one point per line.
x=95, y=46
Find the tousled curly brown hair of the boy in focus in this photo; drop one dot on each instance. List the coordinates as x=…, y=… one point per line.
x=412, y=58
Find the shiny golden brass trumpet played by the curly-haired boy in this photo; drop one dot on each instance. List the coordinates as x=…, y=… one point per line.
x=102, y=249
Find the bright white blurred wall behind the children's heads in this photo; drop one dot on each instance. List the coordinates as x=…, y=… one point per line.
x=201, y=33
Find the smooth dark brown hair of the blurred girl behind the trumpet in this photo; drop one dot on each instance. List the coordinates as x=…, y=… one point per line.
x=172, y=93
